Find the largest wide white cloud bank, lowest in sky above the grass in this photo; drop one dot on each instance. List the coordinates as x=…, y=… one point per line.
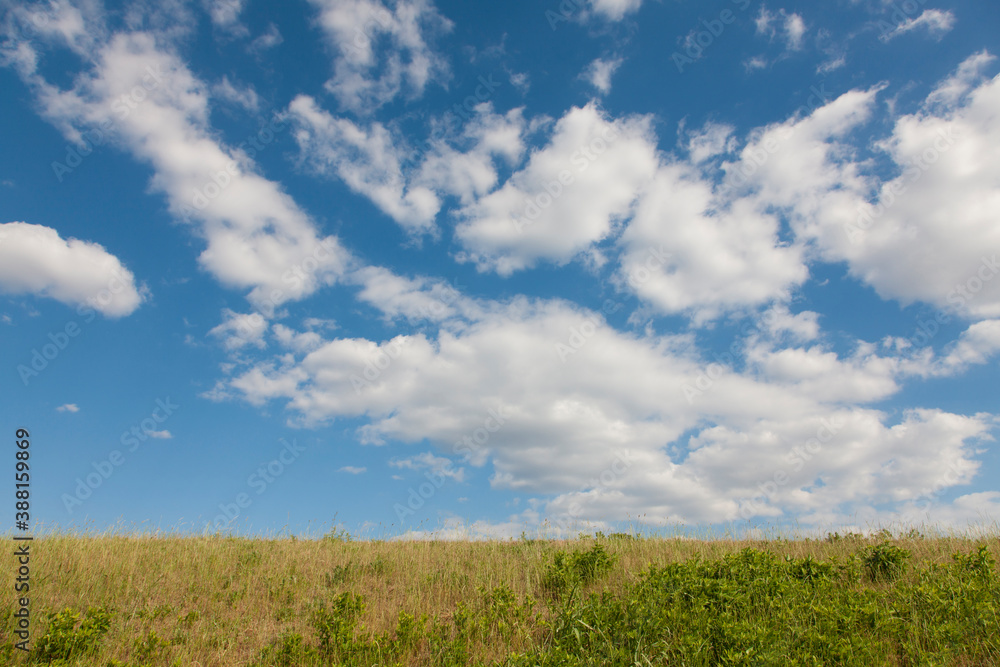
x=618, y=424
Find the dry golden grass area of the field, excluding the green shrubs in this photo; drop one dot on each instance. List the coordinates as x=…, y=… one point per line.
x=220, y=600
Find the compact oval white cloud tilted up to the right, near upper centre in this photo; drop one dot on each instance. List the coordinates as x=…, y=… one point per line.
x=572, y=193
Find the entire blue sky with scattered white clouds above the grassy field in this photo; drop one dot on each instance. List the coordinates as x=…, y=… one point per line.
x=473, y=269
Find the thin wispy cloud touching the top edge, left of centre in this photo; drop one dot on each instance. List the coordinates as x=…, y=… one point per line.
x=381, y=50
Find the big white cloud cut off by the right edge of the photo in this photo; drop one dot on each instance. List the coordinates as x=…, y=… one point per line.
x=927, y=234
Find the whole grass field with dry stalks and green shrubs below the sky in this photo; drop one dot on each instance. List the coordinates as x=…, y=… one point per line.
x=616, y=600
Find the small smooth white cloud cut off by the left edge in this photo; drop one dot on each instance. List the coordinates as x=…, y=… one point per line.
x=35, y=260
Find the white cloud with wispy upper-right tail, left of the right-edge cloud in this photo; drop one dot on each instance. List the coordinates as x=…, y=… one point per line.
x=704, y=246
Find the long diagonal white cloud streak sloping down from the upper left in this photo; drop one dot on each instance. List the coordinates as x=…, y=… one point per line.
x=146, y=99
